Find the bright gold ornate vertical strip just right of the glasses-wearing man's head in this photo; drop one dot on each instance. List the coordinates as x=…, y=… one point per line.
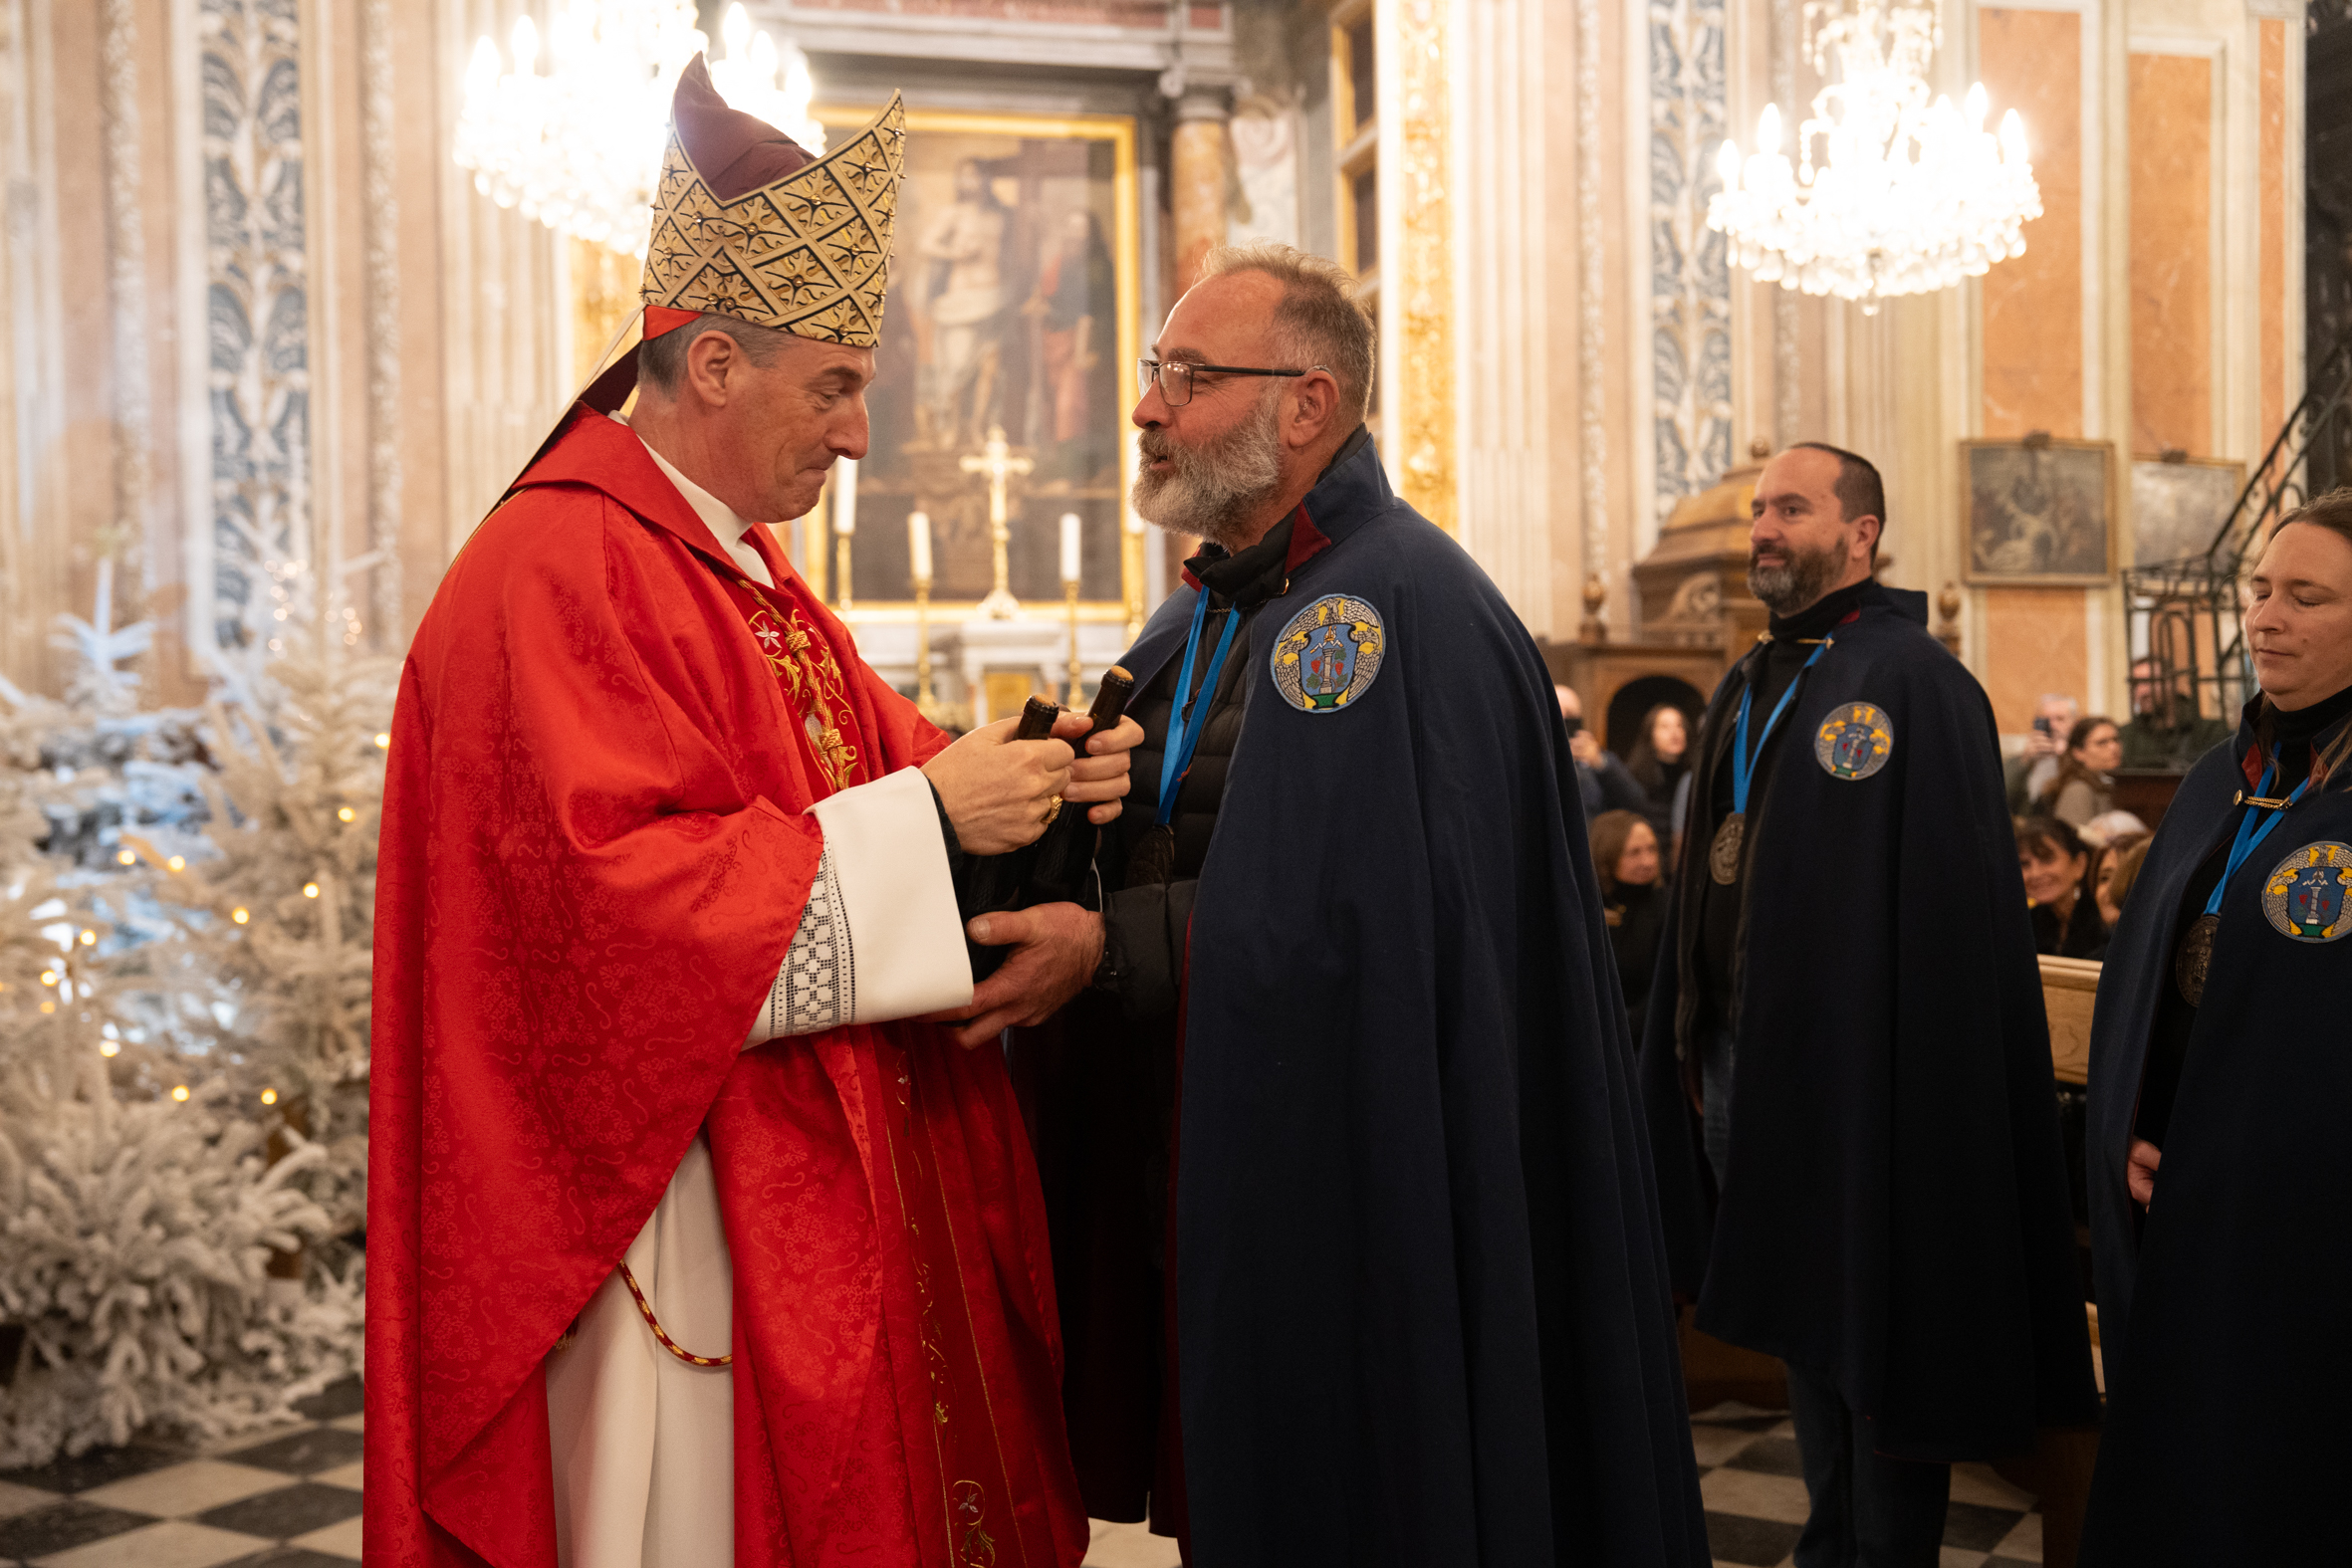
x=1417, y=274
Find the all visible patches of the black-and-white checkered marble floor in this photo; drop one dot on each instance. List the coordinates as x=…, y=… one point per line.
x=293, y=1501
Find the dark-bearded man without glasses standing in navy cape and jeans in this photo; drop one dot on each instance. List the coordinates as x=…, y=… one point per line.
x=1845, y=1064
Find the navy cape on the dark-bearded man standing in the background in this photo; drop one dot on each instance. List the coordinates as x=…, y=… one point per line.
x=1897, y=1205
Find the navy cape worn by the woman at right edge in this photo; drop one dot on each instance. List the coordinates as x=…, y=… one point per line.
x=2221, y=1311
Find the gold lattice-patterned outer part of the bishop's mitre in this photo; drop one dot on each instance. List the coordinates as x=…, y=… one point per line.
x=806, y=253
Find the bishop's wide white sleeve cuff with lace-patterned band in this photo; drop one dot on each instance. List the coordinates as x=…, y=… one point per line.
x=881, y=937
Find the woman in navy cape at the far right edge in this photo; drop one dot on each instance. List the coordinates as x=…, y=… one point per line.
x=2219, y=1078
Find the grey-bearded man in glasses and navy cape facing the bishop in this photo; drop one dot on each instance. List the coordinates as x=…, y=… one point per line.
x=1354, y=1005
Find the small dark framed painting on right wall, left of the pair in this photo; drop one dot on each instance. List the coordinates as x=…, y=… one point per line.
x=2038, y=511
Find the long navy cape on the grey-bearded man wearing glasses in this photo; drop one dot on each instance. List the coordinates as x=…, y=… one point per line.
x=1424, y=1311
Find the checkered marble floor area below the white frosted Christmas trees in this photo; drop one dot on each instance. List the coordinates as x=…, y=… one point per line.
x=283, y=1499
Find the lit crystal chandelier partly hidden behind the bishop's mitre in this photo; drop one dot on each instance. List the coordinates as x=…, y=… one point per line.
x=580, y=147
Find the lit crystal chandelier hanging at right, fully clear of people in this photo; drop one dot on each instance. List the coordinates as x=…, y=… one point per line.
x=1906, y=199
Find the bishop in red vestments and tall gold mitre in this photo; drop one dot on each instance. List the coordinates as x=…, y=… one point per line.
x=688, y=1245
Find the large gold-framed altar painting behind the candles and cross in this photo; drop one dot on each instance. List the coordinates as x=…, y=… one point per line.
x=1003, y=377
